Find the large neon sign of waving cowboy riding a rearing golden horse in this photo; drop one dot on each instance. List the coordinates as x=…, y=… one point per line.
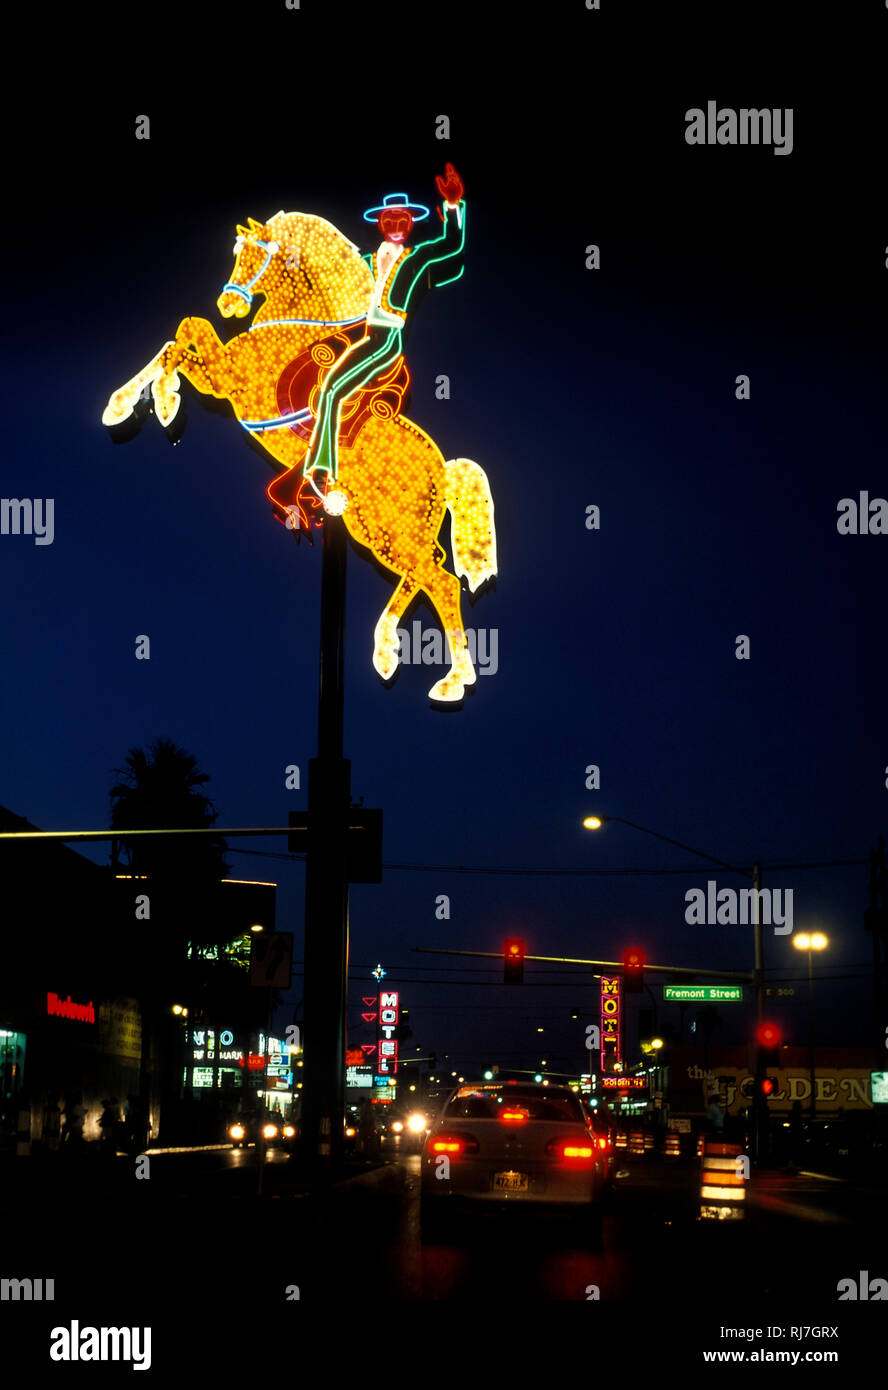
x=320, y=304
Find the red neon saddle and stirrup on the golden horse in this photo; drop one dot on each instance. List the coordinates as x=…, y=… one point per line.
x=298, y=393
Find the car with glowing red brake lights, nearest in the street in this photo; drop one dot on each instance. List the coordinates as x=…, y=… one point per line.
x=516, y=1143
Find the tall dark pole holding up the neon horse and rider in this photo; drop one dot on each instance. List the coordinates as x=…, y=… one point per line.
x=327, y=889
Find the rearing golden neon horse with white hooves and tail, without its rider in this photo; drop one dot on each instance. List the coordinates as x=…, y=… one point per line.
x=394, y=486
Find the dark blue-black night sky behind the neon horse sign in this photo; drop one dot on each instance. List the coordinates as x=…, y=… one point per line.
x=569, y=387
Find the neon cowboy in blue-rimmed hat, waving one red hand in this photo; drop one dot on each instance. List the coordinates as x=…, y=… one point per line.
x=402, y=275
